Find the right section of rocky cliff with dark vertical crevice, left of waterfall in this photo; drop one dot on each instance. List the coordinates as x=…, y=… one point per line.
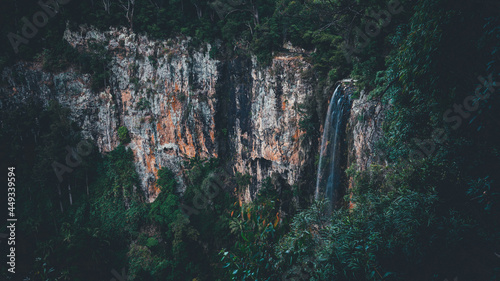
x=262, y=117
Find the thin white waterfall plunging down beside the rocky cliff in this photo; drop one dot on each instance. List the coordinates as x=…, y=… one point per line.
x=329, y=172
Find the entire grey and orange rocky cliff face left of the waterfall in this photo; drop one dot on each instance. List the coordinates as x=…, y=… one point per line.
x=177, y=103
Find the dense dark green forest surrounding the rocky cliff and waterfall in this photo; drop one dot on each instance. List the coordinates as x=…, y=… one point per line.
x=431, y=212
